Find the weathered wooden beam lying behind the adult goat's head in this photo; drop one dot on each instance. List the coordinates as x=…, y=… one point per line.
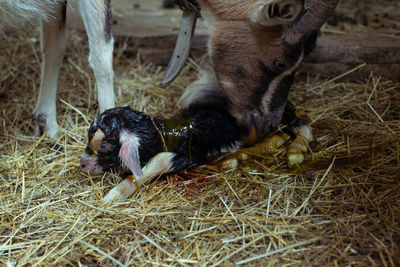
x=335, y=54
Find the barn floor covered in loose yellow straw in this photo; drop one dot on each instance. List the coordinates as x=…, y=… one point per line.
x=341, y=207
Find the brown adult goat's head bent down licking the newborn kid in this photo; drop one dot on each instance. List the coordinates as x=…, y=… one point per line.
x=254, y=50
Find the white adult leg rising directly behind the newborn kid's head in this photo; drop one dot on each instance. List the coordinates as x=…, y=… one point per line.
x=96, y=15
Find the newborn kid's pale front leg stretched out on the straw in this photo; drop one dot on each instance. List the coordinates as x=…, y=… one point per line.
x=160, y=164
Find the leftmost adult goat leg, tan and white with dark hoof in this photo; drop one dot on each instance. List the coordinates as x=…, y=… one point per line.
x=52, y=39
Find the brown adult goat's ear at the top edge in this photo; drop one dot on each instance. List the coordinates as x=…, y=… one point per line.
x=276, y=12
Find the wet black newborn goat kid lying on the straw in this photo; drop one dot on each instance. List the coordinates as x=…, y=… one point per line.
x=149, y=147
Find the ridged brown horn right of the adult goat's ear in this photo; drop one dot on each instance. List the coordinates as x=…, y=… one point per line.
x=316, y=16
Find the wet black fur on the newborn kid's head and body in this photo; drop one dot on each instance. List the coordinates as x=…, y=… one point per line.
x=213, y=130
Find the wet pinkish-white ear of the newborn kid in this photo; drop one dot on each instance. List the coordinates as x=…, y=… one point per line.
x=129, y=153
